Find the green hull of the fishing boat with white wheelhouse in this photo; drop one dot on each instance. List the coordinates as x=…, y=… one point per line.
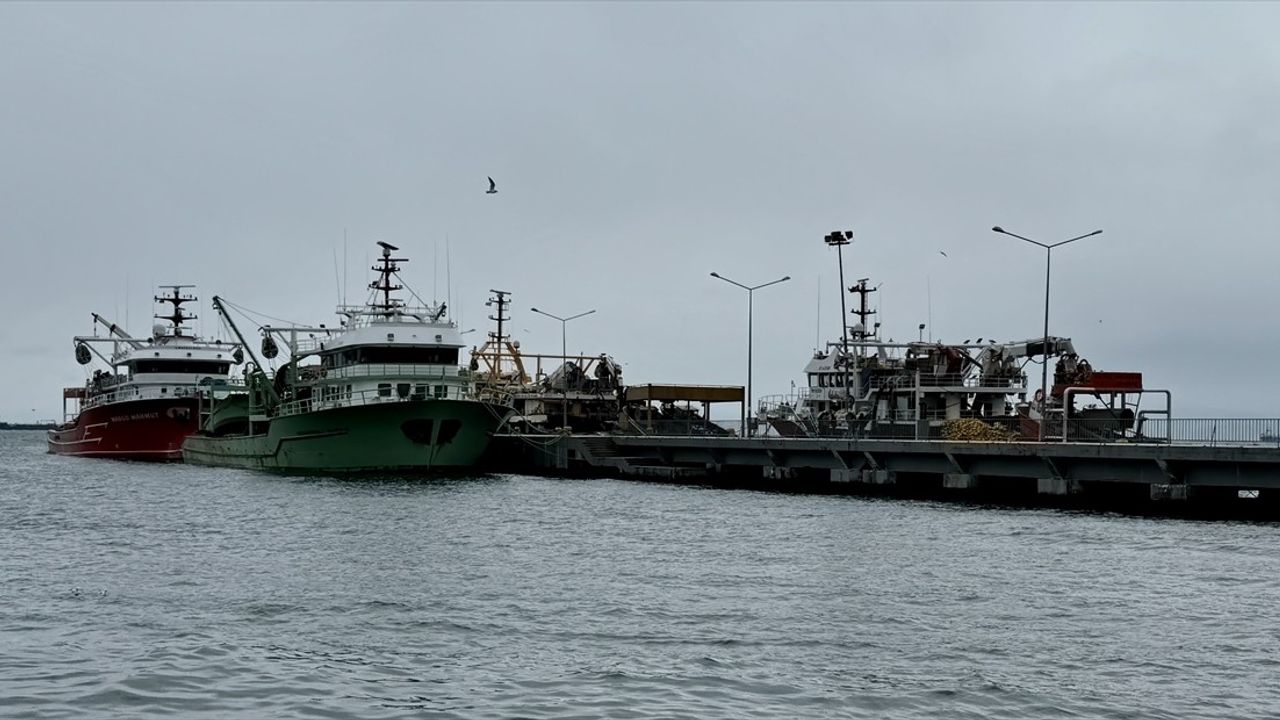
x=409, y=436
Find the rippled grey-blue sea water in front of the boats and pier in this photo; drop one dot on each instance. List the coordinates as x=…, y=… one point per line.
x=144, y=591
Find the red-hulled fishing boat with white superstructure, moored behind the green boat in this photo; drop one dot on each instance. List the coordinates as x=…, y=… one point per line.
x=149, y=400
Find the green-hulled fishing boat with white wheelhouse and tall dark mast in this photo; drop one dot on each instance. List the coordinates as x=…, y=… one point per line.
x=383, y=393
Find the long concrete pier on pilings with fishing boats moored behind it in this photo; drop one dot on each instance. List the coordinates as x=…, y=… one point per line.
x=1160, y=479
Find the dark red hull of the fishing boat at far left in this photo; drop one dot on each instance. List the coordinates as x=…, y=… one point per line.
x=136, y=430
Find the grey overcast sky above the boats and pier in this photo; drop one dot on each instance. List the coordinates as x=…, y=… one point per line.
x=639, y=148
